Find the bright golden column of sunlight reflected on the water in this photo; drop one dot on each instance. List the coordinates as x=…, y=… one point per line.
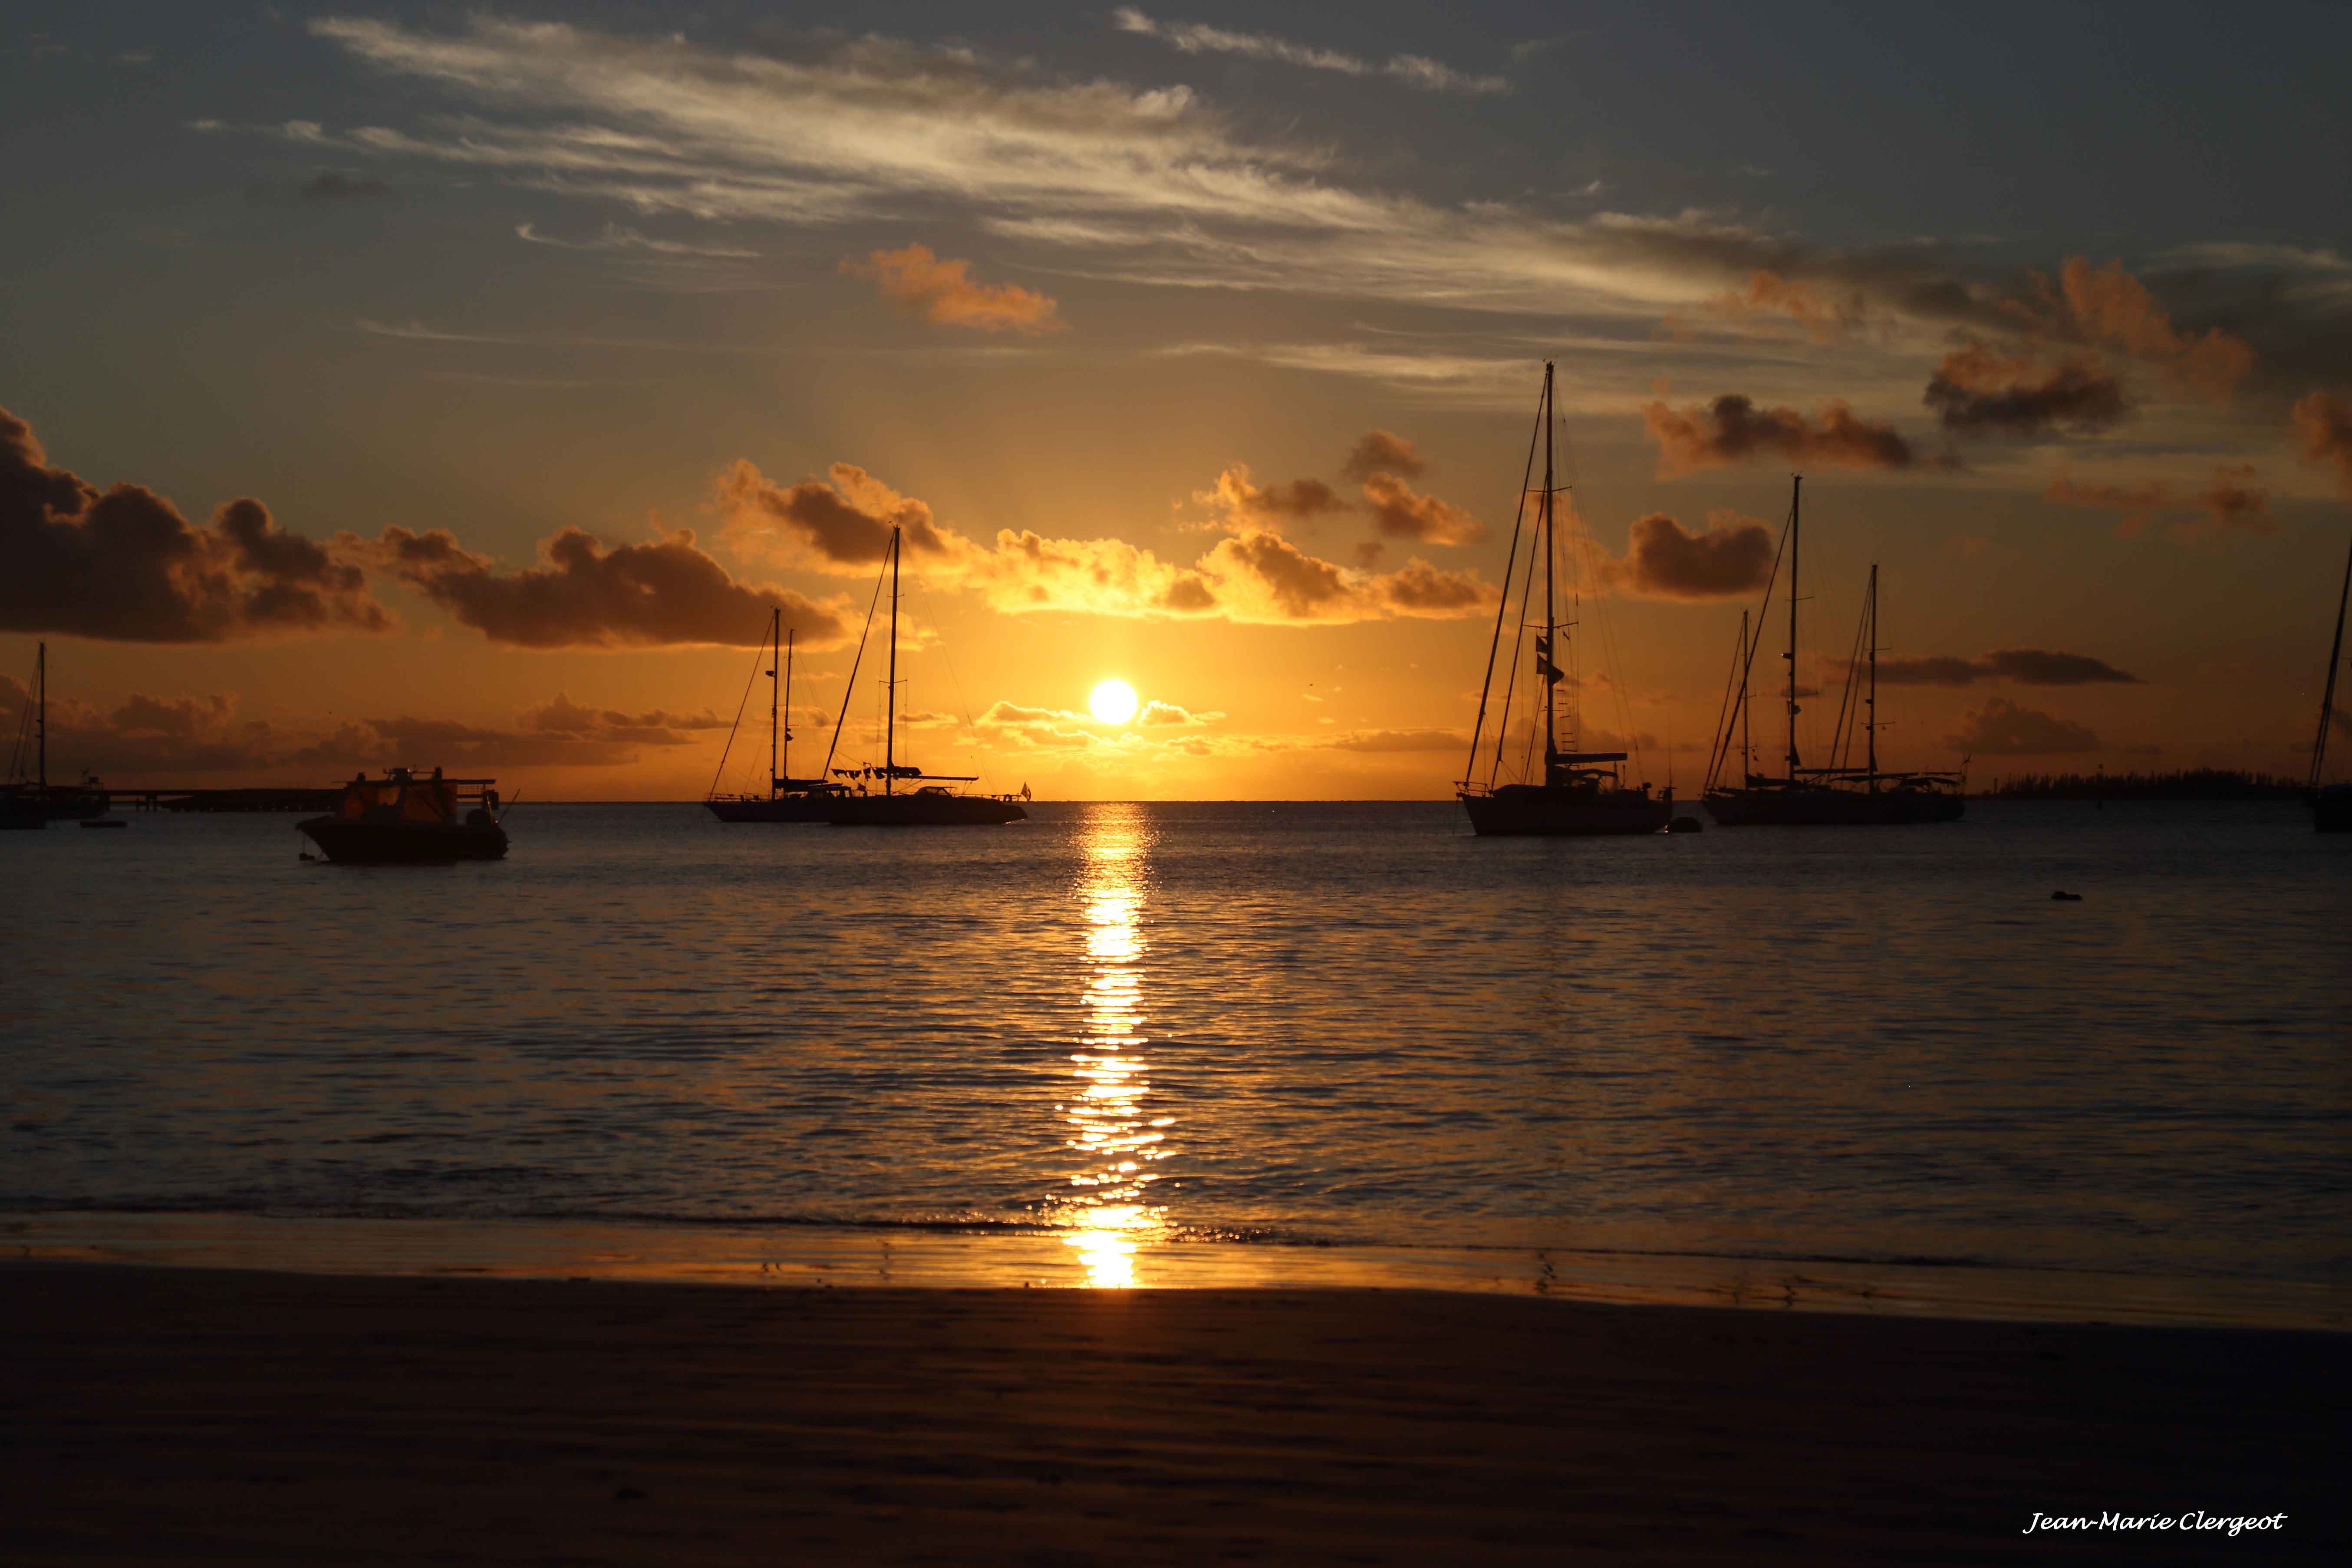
x=1118, y=1144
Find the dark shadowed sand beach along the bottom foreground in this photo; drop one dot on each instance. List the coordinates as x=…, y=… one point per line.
x=286, y=1419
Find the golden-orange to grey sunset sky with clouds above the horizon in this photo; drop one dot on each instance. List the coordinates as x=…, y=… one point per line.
x=467, y=389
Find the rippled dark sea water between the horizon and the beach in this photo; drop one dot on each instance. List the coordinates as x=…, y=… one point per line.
x=1158, y=1033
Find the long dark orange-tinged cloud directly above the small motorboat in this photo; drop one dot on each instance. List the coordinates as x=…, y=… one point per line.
x=660, y=594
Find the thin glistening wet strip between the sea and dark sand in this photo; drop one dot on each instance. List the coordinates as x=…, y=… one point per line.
x=944, y=1259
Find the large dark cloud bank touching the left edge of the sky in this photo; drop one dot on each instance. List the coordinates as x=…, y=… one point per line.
x=128, y=568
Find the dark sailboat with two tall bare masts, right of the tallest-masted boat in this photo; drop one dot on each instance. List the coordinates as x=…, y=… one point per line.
x=1836, y=796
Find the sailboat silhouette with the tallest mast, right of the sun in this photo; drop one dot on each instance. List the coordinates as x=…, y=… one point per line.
x=1579, y=793
